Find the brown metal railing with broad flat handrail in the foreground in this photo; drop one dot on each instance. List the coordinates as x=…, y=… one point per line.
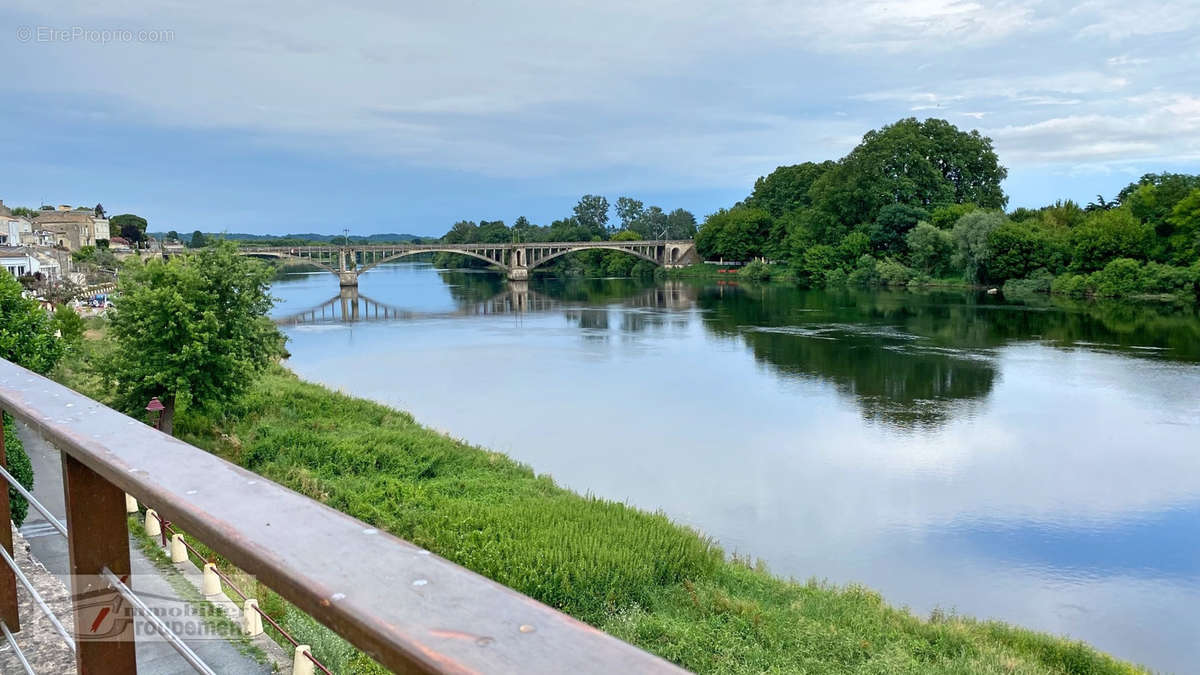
x=407, y=608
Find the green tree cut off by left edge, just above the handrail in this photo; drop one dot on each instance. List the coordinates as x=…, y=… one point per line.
x=27, y=336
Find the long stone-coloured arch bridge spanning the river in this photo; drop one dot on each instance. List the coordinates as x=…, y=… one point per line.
x=515, y=260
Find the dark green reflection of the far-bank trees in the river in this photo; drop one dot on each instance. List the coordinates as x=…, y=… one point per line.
x=917, y=360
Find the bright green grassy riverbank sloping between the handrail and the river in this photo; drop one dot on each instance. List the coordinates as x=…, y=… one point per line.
x=633, y=574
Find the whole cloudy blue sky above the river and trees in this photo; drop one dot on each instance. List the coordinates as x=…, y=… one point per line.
x=406, y=117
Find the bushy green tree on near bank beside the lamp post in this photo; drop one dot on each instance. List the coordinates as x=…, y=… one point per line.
x=193, y=330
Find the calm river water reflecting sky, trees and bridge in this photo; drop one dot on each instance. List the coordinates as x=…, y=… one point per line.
x=1039, y=464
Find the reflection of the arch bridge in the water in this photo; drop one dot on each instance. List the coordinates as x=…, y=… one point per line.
x=351, y=306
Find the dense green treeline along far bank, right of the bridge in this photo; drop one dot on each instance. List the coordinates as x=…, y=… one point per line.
x=921, y=202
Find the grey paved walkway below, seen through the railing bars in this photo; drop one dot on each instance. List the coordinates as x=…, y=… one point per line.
x=50, y=548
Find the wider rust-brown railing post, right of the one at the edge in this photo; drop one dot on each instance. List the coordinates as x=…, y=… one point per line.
x=99, y=539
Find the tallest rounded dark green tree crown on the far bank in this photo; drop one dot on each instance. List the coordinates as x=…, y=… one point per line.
x=926, y=165
